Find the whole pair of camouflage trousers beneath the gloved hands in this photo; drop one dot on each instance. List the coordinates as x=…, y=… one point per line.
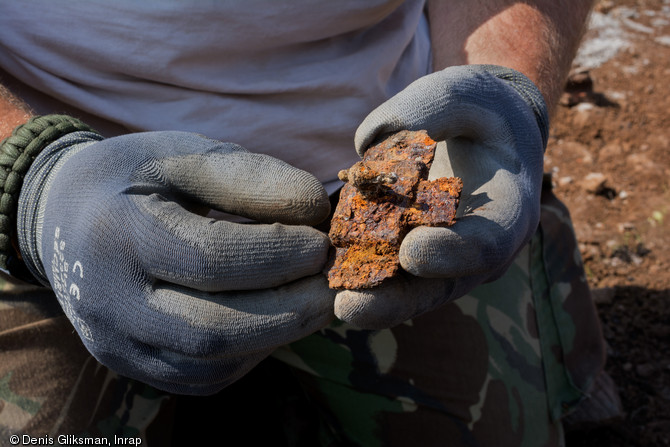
x=498, y=367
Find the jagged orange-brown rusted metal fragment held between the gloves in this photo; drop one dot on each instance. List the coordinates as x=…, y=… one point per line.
x=386, y=195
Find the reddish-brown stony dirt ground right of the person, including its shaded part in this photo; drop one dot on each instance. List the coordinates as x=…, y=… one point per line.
x=609, y=154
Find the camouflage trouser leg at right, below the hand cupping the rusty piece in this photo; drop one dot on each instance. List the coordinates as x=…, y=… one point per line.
x=498, y=367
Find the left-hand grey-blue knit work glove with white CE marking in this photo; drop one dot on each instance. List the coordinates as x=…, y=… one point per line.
x=180, y=301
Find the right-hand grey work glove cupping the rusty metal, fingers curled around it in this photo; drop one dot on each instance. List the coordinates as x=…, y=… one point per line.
x=495, y=125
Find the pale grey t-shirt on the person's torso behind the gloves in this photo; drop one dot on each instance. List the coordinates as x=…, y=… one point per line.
x=292, y=78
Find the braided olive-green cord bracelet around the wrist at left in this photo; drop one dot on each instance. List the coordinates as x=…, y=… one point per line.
x=17, y=153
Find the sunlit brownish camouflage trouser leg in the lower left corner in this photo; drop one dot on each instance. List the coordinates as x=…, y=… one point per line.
x=50, y=385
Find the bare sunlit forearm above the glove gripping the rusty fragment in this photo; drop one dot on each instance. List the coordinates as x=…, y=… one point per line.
x=538, y=38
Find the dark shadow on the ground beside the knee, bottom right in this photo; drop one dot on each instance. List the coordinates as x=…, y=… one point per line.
x=636, y=325
